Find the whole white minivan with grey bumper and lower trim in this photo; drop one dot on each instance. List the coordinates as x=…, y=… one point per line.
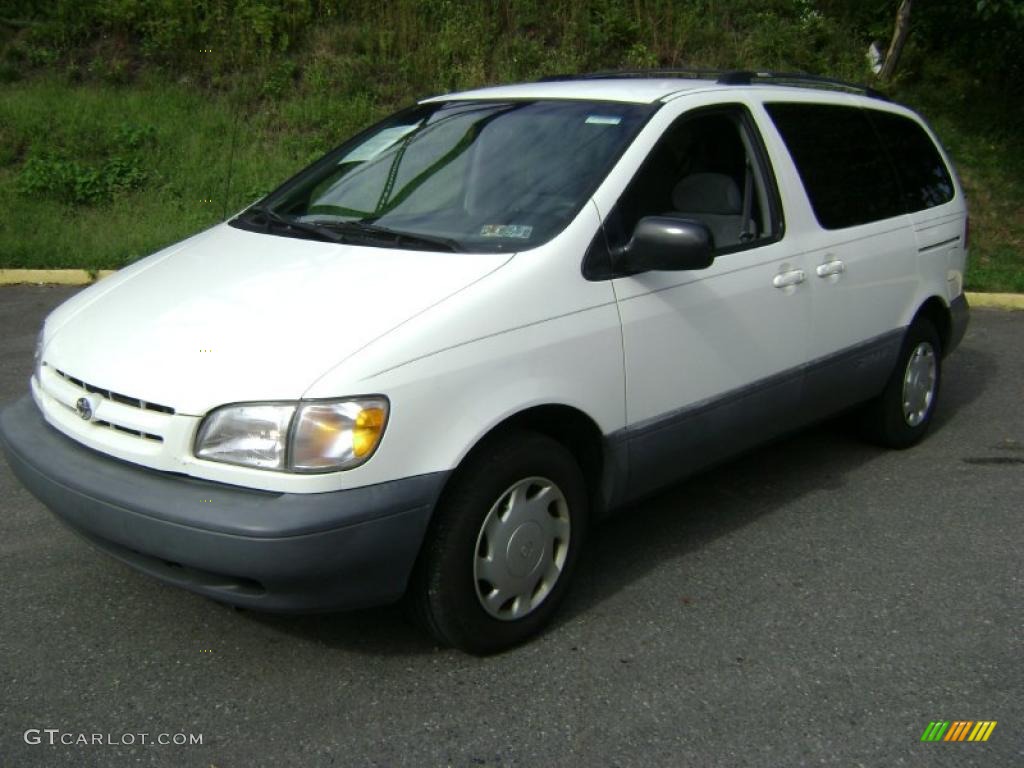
x=423, y=366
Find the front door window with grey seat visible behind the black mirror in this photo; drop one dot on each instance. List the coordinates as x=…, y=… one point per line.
x=708, y=166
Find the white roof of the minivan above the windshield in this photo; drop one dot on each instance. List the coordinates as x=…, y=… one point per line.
x=636, y=91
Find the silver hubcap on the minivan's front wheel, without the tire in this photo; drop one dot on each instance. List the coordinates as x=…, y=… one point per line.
x=522, y=548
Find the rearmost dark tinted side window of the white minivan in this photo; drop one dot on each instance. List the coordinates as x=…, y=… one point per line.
x=924, y=178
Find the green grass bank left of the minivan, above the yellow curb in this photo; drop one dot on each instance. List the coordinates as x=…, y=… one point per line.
x=187, y=161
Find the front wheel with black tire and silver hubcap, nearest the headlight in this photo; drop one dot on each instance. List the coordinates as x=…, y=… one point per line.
x=503, y=545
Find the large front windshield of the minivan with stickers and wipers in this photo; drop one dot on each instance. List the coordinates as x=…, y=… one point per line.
x=457, y=176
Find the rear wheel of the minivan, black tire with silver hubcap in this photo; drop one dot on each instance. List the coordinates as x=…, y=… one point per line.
x=901, y=416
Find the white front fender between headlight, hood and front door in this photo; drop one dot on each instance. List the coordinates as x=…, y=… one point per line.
x=540, y=334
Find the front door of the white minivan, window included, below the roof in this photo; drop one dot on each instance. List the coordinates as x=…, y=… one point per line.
x=713, y=358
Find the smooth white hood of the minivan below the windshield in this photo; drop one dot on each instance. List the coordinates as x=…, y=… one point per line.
x=232, y=316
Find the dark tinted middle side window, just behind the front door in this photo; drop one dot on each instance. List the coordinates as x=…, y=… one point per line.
x=843, y=166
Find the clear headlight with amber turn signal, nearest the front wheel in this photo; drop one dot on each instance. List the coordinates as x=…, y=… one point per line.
x=320, y=437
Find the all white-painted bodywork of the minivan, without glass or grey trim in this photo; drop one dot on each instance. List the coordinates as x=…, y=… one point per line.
x=459, y=343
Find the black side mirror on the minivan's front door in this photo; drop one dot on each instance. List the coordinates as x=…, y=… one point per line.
x=667, y=243
